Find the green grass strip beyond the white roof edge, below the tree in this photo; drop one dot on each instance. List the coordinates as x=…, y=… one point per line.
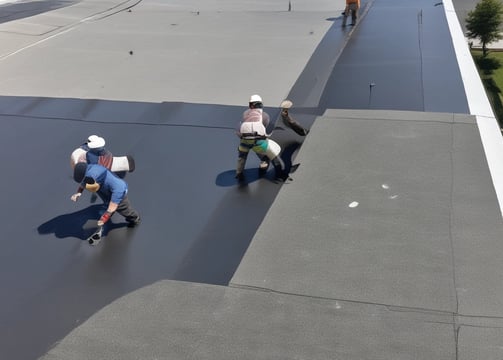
x=491, y=72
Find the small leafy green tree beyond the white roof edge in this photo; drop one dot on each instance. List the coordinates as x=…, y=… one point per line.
x=484, y=22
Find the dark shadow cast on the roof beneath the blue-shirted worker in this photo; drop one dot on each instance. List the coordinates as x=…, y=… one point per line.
x=80, y=224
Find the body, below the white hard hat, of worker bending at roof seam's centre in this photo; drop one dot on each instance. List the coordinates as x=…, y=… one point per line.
x=252, y=133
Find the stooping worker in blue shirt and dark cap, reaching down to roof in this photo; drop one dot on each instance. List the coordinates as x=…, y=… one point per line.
x=110, y=188
